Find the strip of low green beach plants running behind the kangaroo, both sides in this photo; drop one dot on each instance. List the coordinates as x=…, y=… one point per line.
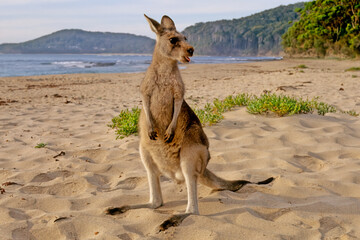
x=280, y=105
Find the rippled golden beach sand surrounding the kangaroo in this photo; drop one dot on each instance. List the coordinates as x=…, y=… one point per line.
x=62, y=190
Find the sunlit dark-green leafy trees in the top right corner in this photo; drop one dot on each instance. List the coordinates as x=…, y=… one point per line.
x=326, y=27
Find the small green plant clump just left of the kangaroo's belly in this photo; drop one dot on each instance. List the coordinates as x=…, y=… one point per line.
x=126, y=123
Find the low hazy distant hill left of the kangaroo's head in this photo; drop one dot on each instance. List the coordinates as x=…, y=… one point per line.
x=79, y=41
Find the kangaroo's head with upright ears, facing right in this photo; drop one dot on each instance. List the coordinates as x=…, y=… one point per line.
x=170, y=43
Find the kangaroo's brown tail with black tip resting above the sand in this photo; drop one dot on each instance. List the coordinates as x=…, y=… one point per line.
x=211, y=180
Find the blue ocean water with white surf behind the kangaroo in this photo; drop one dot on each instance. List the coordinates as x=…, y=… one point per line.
x=46, y=64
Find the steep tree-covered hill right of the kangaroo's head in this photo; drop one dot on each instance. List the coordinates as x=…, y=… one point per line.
x=258, y=34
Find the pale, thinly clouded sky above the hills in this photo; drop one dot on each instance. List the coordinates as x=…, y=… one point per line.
x=23, y=20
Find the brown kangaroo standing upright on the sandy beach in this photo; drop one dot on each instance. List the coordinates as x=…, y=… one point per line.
x=172, y=141
